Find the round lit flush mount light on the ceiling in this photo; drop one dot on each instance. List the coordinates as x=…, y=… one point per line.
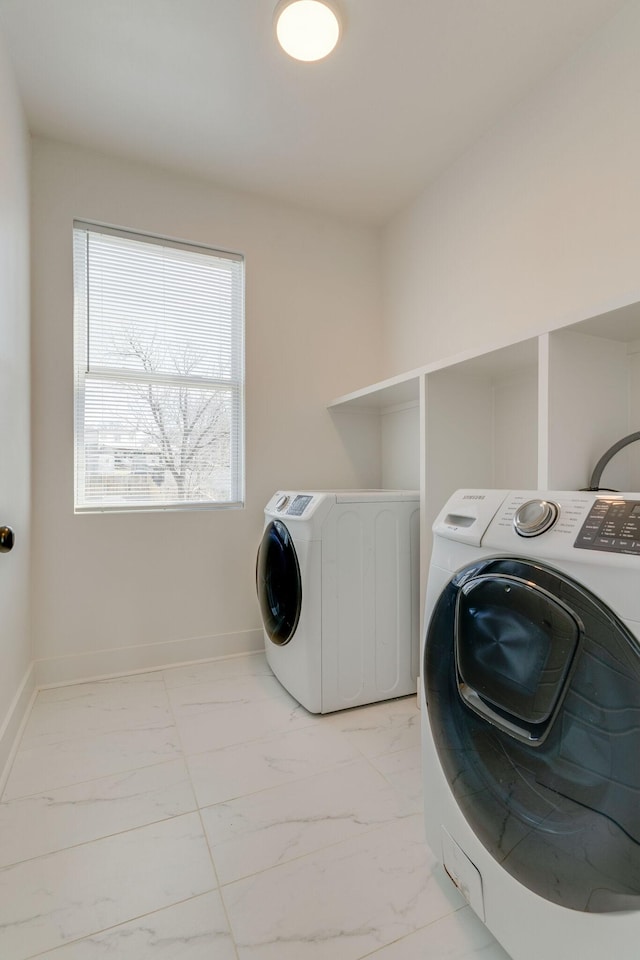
x=307, y=29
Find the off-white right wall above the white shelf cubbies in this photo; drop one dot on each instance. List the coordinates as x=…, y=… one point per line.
x=537, y=225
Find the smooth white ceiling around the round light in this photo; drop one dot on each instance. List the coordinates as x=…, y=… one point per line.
x=200, y=86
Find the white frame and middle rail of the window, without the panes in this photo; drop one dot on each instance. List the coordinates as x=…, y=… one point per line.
x=83, y=370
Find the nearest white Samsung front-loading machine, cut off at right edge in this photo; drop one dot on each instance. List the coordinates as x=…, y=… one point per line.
x=530, y=693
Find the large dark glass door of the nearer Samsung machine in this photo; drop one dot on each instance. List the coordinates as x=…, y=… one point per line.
x=533, y=698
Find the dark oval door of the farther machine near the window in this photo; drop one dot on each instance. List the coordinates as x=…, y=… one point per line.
x=278, y=583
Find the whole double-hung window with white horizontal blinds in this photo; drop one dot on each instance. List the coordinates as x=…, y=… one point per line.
x=159, y=370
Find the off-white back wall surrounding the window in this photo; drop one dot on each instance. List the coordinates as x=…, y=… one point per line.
x=119, y=592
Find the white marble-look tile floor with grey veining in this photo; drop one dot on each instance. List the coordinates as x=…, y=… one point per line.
x=199, y=813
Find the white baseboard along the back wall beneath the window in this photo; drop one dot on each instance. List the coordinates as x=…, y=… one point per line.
x=122, y=661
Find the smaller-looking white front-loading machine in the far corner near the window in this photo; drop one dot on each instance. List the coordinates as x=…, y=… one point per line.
x=337, y=577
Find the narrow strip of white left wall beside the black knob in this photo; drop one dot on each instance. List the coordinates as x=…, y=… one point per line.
x=15, y=649
